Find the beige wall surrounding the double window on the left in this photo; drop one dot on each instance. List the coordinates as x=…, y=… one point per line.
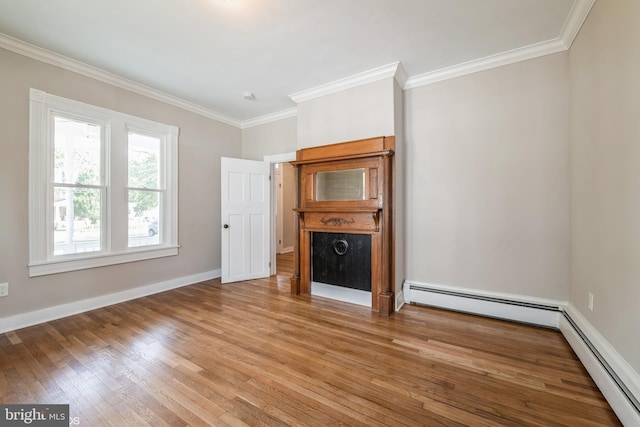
x=201, y=144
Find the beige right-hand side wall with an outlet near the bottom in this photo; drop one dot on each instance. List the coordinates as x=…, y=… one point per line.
x=605, y=145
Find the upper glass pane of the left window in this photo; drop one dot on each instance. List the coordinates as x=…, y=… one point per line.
x=77, y=152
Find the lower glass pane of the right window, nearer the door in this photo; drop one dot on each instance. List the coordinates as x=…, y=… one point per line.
x=144, y=218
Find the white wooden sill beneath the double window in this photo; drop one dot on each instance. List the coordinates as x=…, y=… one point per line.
x=64, y=265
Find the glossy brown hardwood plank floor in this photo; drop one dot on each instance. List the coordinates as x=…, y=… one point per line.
x=249, y=353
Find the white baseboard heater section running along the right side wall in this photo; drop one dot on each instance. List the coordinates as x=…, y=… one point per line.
x=616, y=379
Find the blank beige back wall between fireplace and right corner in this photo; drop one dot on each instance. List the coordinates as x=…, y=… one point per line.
x=487, y=192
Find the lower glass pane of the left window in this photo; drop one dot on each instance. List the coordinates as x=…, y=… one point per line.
x=76, y=220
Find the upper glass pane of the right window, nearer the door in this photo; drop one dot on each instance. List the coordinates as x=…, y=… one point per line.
x=144, y=161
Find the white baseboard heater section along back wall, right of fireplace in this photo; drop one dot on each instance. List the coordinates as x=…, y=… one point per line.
x=537, y=311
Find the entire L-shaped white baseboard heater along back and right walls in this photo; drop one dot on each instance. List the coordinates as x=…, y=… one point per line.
x=616, y=379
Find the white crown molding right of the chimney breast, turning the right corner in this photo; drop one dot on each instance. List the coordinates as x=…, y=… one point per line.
x=579, y=11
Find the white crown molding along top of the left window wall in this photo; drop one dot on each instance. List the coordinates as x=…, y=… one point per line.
x=43, y=55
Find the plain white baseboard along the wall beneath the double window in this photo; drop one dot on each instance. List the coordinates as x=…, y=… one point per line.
x=35, y=317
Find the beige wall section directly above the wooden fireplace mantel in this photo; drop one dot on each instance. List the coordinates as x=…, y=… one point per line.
x=365, y=111
